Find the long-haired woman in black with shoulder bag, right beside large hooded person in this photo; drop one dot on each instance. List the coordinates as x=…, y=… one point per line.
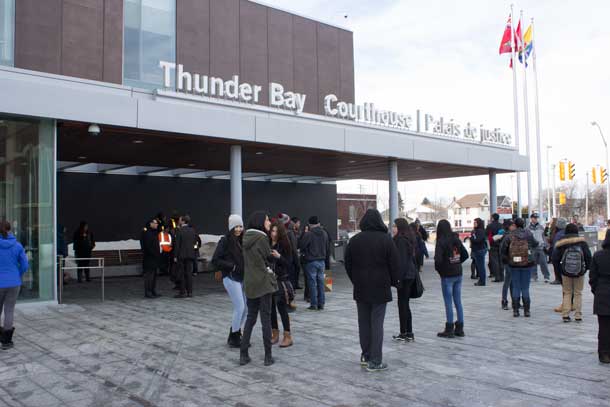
x=405, y=241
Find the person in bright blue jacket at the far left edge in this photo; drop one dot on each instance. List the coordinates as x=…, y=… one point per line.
x=13, y=264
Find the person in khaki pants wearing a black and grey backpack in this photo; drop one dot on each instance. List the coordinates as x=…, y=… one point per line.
x=574, y=258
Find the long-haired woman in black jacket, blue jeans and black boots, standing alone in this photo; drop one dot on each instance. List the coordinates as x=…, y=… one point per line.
x=449, y=255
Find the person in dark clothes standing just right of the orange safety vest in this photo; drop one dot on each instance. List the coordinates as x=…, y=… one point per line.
x=184, y=254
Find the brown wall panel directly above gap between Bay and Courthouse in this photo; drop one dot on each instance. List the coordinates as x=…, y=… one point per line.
x=305, y=62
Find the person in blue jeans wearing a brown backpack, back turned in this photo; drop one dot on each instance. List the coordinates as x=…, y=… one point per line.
x=517, y=251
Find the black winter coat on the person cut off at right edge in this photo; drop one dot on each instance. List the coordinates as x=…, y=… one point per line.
x=599, y=279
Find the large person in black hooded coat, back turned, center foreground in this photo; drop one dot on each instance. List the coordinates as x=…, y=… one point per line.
x=372, y=264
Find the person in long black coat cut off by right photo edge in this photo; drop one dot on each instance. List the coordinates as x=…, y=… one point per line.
x=599, y=279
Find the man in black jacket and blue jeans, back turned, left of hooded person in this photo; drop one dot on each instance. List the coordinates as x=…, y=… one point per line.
x=315, y=247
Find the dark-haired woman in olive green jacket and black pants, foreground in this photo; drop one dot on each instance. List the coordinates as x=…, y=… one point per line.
x=259, y=283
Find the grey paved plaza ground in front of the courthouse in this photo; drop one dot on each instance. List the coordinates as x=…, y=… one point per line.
x=134, y=352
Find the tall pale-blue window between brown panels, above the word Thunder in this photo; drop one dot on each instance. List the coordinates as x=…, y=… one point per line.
x=149, y=37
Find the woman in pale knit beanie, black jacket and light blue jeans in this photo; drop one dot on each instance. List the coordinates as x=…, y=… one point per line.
x=229, y=260
